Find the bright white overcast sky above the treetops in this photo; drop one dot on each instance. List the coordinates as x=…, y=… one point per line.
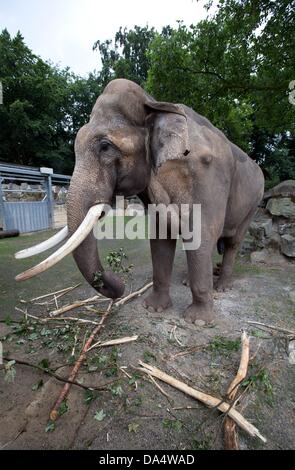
x=64, y=31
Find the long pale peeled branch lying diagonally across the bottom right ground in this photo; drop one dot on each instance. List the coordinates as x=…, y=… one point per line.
x=208, y=400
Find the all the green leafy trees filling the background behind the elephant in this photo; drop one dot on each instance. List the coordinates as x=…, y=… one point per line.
x=234, y=67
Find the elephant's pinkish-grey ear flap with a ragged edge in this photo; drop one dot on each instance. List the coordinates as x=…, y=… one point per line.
x=167, y=132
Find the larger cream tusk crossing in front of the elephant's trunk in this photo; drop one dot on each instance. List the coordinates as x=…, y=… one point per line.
x=71, y=244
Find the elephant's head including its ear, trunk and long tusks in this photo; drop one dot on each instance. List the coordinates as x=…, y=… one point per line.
x=128, y=136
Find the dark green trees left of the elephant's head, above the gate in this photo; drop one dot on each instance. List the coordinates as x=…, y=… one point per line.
x=43, y=107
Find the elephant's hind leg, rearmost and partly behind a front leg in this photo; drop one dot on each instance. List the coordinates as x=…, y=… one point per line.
x=231, y=247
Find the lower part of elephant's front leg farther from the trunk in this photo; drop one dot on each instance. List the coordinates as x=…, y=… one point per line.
x=200, y=272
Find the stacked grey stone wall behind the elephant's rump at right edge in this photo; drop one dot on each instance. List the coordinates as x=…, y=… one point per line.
x=271, y=235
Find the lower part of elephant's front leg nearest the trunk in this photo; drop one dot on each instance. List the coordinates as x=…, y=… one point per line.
x=162, y=258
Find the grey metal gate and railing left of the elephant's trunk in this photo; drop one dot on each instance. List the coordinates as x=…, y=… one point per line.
x=36, y=184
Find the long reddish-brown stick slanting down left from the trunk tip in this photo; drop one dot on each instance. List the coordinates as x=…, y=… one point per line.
x=73, y=374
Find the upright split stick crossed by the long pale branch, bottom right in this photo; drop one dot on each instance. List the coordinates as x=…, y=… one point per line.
x=230, y=434
